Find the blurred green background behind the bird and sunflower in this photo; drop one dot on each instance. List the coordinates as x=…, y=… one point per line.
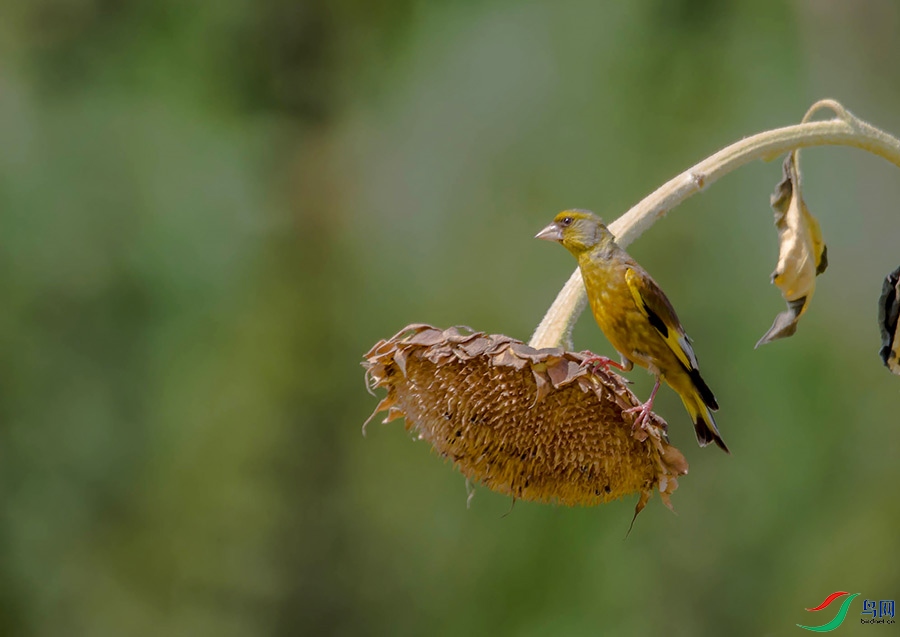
x=210, y=211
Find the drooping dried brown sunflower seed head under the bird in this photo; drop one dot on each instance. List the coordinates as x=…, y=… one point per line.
x=532, y=424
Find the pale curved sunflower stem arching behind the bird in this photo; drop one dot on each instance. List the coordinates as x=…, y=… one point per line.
x=845, y=129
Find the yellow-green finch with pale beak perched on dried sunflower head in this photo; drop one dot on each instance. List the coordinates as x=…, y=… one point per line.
x=636, y=318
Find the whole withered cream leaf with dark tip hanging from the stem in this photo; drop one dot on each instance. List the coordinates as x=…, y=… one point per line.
x=802, y=254
